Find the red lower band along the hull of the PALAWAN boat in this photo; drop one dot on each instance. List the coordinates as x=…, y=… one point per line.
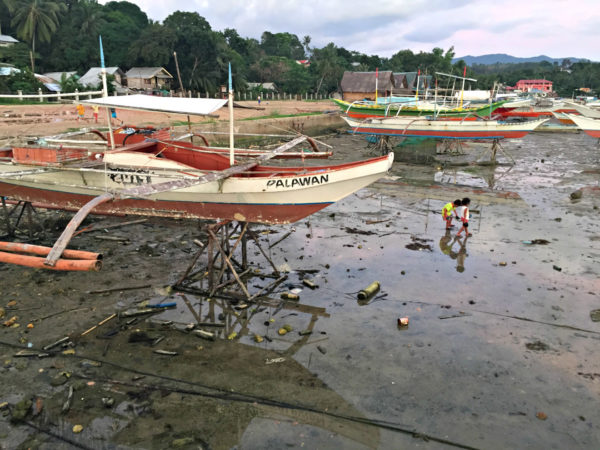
x=258, y=213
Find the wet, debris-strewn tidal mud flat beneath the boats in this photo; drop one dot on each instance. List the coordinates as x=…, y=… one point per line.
x=501, y=349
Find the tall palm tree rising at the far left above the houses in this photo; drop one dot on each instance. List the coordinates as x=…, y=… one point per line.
x=35, y=19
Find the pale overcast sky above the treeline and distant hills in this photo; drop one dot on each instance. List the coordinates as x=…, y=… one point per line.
x=556, y=28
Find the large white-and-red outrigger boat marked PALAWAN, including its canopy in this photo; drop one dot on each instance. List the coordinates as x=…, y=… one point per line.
x=178, y=179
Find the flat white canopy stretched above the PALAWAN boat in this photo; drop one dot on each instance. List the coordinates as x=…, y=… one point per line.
x=177, y=105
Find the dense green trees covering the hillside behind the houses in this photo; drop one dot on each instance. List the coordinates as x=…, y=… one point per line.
x=64, y=33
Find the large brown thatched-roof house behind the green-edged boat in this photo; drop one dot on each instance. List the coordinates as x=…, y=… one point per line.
x=362, y=85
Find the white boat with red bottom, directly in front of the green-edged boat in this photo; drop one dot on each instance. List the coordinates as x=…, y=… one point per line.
x=441, y=129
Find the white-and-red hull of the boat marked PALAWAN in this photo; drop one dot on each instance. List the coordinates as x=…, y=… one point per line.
x=262, y=196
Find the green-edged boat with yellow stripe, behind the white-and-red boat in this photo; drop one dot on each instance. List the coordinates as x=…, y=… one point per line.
x=364, y=109
